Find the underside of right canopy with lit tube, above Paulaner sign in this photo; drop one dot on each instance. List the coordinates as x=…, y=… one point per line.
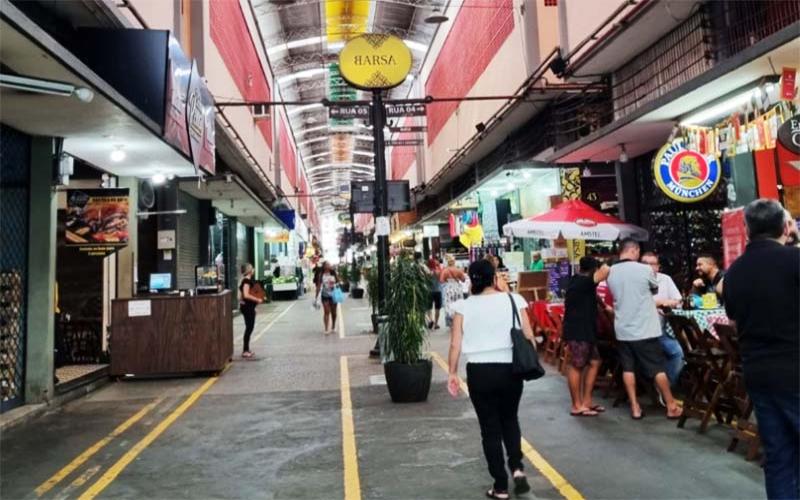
x=648, y=128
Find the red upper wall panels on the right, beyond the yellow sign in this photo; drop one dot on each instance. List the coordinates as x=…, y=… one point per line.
x=480, y=28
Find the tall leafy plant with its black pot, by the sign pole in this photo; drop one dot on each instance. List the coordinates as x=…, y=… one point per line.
x=403, y=337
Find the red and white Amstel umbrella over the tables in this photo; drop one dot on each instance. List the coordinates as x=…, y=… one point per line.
x=574, y=220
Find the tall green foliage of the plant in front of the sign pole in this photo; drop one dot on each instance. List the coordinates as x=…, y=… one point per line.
x=404, y=336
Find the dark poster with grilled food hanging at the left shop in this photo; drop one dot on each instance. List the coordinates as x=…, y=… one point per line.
x=97, y=220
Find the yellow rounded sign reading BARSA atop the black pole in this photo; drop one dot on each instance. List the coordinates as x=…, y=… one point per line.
x=375, y=61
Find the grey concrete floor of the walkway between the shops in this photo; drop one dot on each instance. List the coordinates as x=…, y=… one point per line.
x=272, y=428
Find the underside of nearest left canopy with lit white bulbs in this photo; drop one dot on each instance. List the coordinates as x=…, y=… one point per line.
x=92, y=130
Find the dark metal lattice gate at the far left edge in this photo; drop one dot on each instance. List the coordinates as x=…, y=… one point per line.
x=14, y=190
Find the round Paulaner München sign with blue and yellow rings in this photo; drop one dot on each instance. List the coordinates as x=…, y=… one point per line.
x=685, y=175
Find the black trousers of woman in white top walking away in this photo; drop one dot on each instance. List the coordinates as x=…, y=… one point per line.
x=495, y=393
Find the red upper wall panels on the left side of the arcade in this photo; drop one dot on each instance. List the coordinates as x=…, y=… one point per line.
x=233, y=39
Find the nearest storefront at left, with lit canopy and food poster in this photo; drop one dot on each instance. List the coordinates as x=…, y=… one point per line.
x=91, y=158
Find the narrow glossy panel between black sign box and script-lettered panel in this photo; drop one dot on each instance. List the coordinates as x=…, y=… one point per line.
x=178, y=73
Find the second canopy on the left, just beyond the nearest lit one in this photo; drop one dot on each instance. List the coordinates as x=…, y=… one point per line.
x=231, y=196
